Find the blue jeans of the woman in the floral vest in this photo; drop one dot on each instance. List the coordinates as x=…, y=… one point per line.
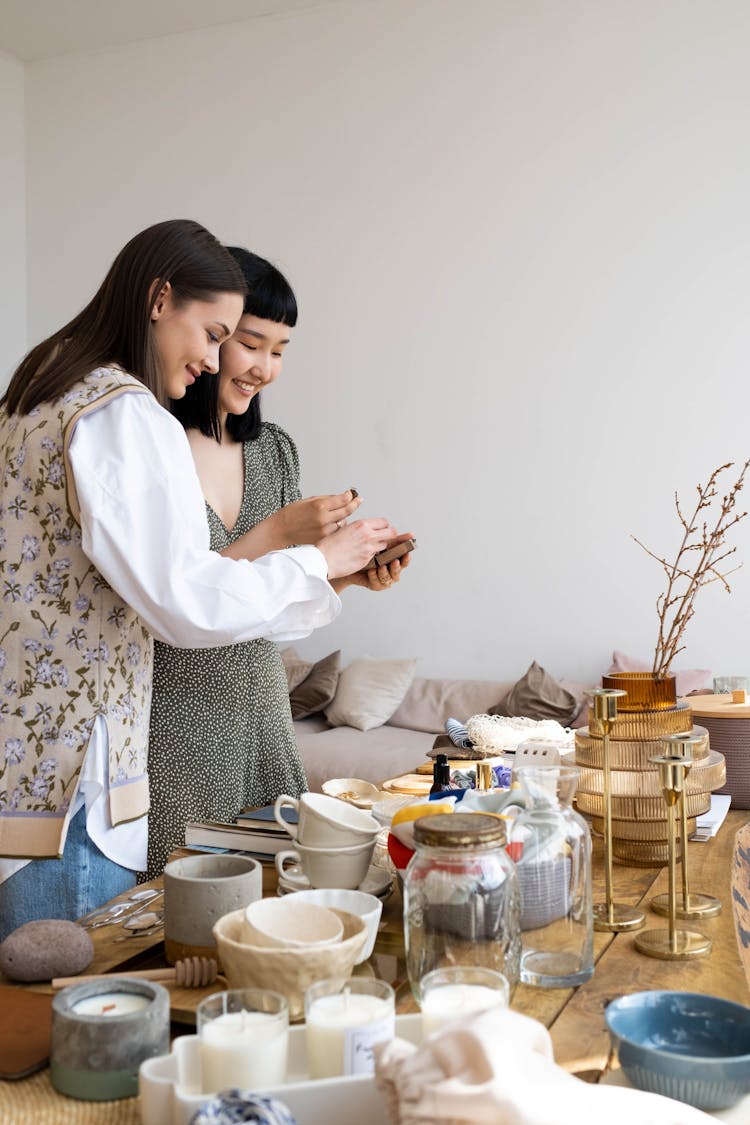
x=67, y=888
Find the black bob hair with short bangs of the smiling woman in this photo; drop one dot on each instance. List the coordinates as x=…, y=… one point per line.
x=269, y=298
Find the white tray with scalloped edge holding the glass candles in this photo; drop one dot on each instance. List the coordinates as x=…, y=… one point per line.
x=170, y=1086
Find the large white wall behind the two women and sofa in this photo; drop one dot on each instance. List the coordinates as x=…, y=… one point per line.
x=521, y=239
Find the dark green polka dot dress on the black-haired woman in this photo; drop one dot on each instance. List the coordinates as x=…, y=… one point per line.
x=221, y=734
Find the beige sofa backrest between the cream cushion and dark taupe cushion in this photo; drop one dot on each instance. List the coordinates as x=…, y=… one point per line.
x=430, y=703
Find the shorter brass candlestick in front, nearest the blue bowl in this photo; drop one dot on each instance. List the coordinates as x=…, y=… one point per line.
x=673, y=944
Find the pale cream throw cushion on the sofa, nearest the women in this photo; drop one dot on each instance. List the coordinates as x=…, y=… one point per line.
x=369, y=692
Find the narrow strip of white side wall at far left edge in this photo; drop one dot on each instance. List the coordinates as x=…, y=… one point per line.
x=13, y=218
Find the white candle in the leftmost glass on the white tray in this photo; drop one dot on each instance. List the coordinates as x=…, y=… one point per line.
x=246, y=1049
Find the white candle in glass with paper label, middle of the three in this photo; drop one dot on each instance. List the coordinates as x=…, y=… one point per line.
x=342, y=1031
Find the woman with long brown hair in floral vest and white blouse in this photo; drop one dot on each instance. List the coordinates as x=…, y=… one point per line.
x=104, y=541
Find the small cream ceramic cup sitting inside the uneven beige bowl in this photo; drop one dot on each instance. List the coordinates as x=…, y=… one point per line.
x=291, y=924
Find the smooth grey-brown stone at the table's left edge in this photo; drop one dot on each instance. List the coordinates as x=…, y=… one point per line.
x=39, y=951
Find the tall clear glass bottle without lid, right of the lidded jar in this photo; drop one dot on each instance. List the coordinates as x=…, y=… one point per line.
x=555, y=880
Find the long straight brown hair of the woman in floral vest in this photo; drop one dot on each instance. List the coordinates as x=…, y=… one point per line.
x=115, y=327
